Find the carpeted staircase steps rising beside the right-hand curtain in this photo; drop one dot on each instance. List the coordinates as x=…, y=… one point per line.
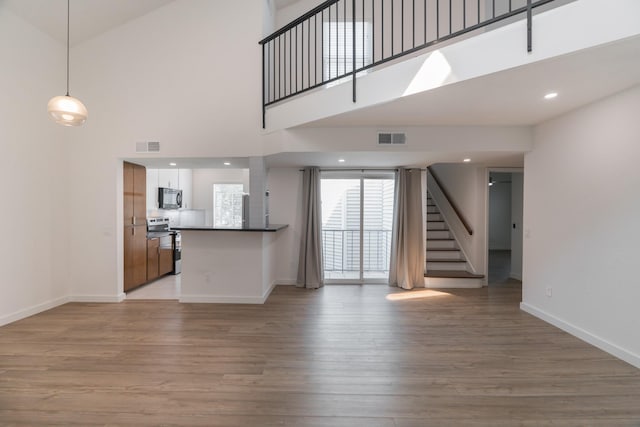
x=446, y=265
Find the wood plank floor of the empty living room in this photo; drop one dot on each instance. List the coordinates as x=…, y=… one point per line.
x=340, y=356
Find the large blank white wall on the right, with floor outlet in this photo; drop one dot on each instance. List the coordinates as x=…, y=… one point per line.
x=581, y=224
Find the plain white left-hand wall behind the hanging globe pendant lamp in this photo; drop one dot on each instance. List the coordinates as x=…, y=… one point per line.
x=33, y=257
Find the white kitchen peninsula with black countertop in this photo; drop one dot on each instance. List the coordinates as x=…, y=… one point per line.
x=228, y=265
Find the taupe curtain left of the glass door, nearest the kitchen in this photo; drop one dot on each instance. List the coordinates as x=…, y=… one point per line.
x=310, y=271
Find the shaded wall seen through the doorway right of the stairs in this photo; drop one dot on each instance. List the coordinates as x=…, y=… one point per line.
x=500, y=212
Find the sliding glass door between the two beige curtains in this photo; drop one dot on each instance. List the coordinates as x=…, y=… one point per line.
x=357, y=216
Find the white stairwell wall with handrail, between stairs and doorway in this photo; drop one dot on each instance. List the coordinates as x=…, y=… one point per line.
x=465, y=184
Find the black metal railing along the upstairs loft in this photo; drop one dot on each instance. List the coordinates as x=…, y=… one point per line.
x=342, y=38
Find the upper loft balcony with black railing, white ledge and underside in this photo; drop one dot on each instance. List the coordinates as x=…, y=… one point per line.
x=445, y=62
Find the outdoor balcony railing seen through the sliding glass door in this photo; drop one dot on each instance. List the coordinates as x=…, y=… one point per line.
x=341, y=250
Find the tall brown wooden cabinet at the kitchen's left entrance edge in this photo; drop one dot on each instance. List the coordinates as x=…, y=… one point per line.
x=135, y=225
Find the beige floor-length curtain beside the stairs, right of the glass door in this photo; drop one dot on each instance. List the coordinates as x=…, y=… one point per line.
x=407, y=244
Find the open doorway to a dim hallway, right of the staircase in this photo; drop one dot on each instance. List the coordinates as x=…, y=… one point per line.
x=504, y=243
